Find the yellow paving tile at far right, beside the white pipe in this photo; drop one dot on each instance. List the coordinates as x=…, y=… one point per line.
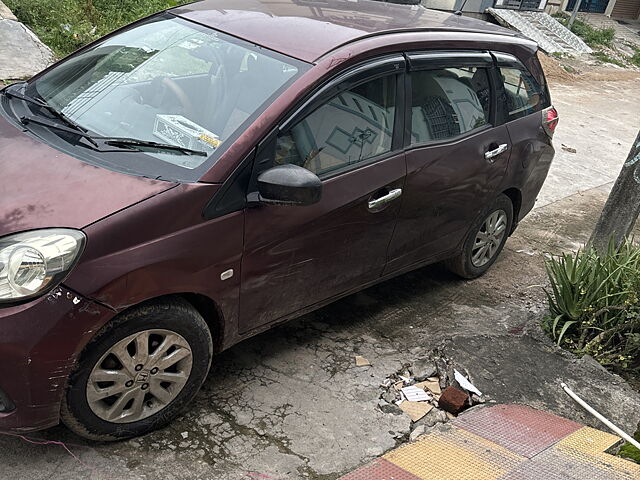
x=588, y=445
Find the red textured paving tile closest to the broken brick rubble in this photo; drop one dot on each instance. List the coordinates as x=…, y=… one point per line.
x=523, y=430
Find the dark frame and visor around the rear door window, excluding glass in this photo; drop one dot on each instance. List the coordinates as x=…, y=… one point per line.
x=441, y=59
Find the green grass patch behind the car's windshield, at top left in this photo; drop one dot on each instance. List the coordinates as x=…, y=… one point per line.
x=66, y=25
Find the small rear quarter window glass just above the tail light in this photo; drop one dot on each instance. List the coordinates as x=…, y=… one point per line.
x=523, y=94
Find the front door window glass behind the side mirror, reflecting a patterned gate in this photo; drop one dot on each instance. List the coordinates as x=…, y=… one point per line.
x=350, y=128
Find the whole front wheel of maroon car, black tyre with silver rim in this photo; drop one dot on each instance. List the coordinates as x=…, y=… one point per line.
x=178, y=356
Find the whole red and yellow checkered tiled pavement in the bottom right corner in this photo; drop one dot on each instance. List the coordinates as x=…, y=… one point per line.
x=504, y=442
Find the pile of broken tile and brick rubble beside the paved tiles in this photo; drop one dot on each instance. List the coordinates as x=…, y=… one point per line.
x=429, y=391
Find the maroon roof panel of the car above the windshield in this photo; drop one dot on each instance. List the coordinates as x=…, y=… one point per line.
x=309, y=29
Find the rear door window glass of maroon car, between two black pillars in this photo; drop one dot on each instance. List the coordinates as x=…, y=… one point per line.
x=448, y=102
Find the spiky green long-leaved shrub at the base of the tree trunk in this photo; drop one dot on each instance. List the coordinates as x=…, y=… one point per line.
x=593, y=303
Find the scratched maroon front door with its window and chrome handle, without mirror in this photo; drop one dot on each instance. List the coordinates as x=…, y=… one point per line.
x=295, y=257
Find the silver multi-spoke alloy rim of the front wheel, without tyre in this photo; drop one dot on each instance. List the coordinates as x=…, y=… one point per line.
x=139, y=376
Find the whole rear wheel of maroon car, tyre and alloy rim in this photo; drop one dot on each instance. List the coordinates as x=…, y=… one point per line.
x=471, y=263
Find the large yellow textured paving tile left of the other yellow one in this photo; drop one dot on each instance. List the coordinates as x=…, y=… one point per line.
x=454, y=454
